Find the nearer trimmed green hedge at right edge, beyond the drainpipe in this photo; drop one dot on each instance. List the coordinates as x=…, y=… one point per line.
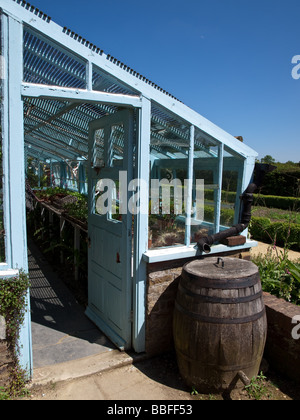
x=262, y=229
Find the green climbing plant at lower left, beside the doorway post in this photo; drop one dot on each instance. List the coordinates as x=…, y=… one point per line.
x=13, y=299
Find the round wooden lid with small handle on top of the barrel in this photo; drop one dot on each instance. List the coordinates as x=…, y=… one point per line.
x=221, y=268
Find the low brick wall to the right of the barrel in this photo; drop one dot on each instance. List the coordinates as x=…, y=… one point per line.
x=282, y=350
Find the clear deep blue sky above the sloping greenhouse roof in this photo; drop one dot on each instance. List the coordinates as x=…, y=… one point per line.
x=230, y=60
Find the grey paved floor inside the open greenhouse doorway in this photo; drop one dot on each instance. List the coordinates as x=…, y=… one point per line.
x=60, y=330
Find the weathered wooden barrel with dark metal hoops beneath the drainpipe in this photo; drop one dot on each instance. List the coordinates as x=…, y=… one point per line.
x=220, y=323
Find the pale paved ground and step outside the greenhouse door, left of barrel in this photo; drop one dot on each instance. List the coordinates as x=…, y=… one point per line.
x=116, y=377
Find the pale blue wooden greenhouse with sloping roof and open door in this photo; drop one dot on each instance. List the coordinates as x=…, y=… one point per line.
x=74, y=118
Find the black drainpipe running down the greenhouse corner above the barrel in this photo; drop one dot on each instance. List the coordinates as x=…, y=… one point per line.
x=247, y=199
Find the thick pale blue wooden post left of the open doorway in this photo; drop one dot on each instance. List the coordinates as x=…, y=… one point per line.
x=14, y=151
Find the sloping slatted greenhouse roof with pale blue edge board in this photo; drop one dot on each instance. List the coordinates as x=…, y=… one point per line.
x=56, y=127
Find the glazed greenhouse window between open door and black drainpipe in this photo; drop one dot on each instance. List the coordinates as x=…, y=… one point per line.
x=216, y=172
